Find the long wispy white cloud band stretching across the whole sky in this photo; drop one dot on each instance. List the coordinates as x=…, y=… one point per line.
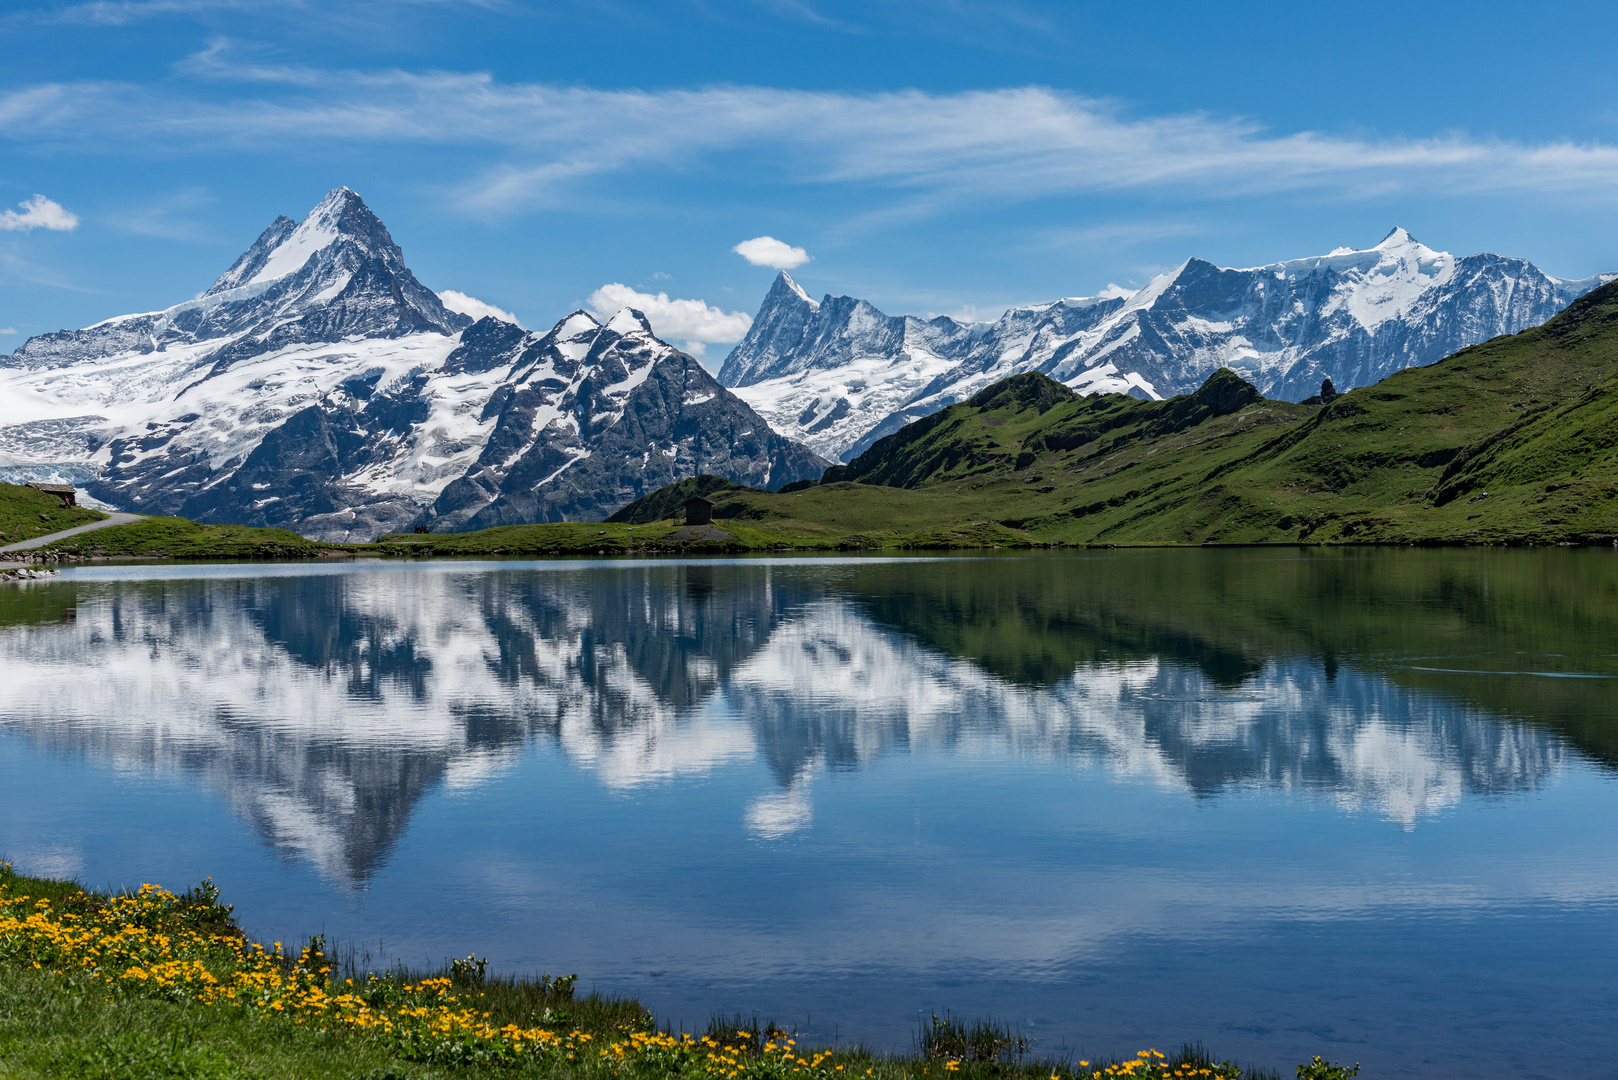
x=936, y=150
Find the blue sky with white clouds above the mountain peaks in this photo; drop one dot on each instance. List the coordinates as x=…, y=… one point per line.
x=936, y=156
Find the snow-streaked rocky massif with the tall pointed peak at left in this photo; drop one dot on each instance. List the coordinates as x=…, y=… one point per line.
x=321, y=388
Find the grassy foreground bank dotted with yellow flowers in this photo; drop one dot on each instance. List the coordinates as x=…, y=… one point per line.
x=150, y=985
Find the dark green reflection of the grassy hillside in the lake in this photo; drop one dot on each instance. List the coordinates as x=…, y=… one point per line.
x=1226, y=611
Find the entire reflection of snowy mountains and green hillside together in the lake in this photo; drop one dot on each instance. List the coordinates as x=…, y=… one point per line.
x=326, y=704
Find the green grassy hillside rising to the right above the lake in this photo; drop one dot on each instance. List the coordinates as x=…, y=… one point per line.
x=1512, y=441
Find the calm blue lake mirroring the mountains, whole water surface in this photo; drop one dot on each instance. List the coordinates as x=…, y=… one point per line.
x=1286, y=802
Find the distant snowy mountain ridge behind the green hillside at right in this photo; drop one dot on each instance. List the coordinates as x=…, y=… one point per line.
x=841, y=375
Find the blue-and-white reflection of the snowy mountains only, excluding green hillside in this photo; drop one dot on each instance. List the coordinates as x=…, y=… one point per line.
x=326, y=707
